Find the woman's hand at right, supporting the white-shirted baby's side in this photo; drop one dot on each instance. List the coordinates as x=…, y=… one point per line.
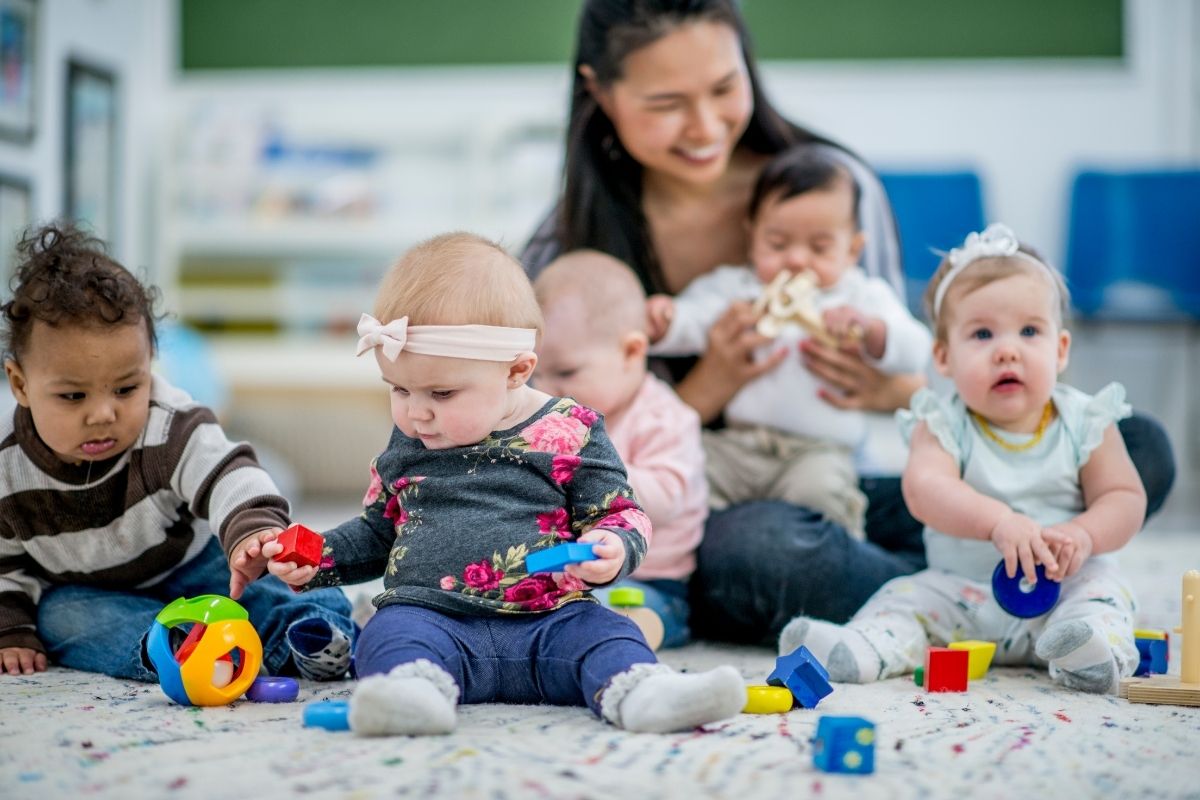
x=856, y=384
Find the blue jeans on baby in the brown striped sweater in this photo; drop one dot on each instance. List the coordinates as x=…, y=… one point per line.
x=105, y=630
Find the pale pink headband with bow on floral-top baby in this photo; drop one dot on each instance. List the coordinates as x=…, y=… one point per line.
x=481, y=342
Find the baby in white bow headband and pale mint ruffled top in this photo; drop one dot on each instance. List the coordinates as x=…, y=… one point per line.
x=1015, y=464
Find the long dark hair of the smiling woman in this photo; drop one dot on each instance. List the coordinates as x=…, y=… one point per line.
x=602, y=204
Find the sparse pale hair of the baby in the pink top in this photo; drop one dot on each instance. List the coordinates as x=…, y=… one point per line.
x=611, y=296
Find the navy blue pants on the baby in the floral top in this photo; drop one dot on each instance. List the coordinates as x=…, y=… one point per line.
x=561, y=658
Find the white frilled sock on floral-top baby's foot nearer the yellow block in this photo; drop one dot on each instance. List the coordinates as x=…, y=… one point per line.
x=655, y=699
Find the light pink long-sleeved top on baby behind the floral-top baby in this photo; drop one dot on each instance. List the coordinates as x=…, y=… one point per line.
x=658, y=437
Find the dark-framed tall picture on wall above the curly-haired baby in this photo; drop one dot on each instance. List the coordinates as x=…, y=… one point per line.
x=91, y=158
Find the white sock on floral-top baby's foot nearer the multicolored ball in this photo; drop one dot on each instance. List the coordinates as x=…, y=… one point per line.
x=415, y=700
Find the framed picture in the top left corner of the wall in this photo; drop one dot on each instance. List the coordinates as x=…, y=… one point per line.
x=19, y=28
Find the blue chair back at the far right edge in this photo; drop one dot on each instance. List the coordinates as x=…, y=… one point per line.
x=1133, y=244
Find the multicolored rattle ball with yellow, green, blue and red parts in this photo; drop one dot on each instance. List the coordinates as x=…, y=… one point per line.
x=218, y=661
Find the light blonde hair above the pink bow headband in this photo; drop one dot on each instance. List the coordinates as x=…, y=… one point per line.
x=459, y=279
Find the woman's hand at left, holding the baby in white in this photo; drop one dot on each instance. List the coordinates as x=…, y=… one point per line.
x=729, y=364
